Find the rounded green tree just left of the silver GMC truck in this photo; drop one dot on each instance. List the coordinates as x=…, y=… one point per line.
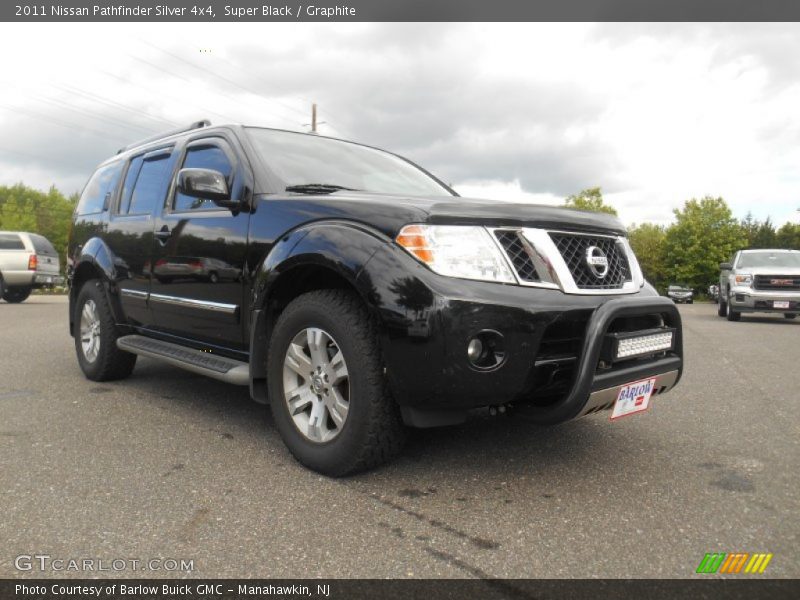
x=703, y=235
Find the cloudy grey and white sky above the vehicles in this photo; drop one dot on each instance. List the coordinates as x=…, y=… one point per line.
x=654, y=114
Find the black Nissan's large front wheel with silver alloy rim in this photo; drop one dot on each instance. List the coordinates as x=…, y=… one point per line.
x=328, y=395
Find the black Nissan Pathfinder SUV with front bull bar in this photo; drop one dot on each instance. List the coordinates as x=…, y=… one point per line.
x=355, y=292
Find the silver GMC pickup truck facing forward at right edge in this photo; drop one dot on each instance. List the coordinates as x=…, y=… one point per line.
x=760, y=281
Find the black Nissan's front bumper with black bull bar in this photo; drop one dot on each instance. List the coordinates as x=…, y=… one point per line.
x=552, y=344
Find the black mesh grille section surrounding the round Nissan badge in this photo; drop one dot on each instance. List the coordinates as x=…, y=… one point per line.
x=573, y=249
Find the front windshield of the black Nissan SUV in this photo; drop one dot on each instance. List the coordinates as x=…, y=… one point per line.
x=308, y=163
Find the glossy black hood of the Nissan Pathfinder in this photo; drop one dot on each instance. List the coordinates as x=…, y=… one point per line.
x=389, y=213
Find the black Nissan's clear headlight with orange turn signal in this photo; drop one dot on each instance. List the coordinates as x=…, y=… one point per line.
x=456, y=251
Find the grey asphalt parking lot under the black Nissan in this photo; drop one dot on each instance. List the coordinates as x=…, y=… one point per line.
x=168, y=464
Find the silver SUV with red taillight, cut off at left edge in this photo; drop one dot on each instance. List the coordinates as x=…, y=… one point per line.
x=27, y=261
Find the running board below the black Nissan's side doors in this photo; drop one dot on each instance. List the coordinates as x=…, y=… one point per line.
x=196, y=361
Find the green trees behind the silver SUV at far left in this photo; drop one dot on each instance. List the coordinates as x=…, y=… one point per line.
x=23, y=208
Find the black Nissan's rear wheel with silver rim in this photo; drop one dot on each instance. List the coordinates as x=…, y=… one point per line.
x=96, y=336
